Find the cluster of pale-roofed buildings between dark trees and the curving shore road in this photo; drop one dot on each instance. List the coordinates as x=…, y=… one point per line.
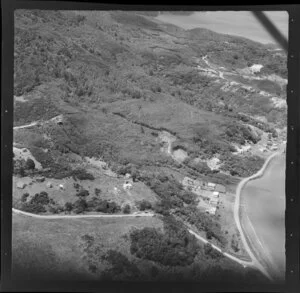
x=207, y=190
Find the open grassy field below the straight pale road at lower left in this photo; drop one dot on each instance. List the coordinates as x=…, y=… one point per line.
x=50, y=249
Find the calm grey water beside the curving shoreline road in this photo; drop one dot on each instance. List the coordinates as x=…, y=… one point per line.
x=264, y=201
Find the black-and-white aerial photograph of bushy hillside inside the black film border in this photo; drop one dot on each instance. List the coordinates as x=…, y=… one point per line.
x=149, y=146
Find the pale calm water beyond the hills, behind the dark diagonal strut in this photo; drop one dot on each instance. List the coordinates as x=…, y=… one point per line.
x=240, y=23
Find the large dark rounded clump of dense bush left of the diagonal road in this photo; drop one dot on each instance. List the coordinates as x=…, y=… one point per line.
x=175, y=247
